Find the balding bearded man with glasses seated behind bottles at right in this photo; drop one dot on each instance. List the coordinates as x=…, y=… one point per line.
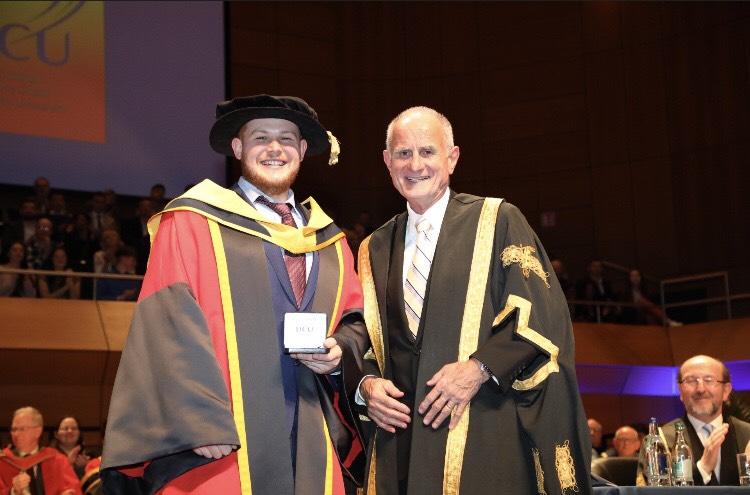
x=714, y=439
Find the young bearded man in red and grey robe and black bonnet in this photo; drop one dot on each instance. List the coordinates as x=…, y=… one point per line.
x=206, y=400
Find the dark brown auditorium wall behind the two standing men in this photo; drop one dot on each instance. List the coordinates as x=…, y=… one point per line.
x=625, y=123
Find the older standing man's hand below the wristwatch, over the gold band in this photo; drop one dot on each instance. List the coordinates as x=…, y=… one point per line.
x=454, y=385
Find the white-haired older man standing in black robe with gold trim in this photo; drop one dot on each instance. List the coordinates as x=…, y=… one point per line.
x=469, y=376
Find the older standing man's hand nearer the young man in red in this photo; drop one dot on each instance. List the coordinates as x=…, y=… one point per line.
x=383, y=407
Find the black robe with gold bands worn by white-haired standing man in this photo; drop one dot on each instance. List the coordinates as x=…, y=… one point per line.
x=490, y=295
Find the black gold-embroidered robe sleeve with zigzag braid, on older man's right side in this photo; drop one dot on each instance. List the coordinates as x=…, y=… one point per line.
x=542, y=381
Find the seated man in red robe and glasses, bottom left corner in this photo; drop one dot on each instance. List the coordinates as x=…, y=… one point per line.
x=28, y=468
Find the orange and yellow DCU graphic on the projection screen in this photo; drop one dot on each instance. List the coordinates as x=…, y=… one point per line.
x=52, y=69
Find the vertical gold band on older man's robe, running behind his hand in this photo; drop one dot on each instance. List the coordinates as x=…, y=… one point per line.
x=469, y=340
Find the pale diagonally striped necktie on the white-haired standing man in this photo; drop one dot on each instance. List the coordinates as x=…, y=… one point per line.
x=416, y=277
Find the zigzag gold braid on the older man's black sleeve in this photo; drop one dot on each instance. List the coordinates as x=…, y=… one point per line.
x=523, y=329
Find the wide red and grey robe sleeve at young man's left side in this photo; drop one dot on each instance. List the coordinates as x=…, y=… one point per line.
x=170, y=394
